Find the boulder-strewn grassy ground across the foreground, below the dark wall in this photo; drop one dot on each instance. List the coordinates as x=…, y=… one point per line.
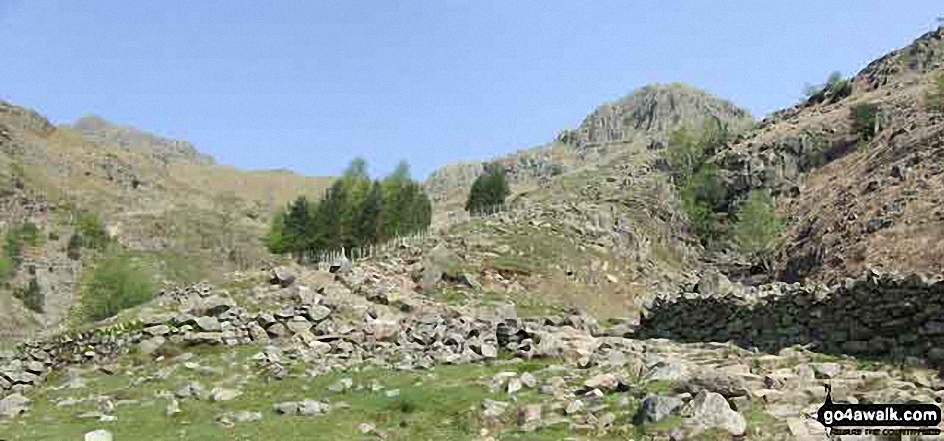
x=358, y=356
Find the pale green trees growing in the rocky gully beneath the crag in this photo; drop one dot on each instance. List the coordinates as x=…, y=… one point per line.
x=704, y=198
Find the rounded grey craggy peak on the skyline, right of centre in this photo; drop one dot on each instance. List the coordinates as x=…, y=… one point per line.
x=655, y=111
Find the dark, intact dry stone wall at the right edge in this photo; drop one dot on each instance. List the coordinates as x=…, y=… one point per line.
x=878, y=315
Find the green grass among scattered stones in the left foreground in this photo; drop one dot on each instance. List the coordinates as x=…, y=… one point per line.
x=442, y=404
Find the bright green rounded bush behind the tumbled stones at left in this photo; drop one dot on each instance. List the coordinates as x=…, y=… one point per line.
x=115, y=283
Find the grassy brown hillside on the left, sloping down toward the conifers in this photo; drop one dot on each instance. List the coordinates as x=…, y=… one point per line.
x=184, y=216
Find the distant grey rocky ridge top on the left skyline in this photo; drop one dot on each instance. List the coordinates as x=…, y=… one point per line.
x=166, y=150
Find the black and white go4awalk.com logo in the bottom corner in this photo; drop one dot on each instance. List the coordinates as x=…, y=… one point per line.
x=879, y=419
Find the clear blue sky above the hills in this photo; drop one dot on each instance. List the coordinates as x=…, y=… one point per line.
x=306, y=85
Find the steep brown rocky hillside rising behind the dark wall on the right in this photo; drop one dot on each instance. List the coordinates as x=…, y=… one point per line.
x=855, y=201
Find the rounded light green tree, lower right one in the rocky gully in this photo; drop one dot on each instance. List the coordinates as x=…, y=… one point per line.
x=757, y=225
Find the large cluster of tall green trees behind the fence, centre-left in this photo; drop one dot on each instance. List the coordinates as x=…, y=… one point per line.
x=355, y=211
